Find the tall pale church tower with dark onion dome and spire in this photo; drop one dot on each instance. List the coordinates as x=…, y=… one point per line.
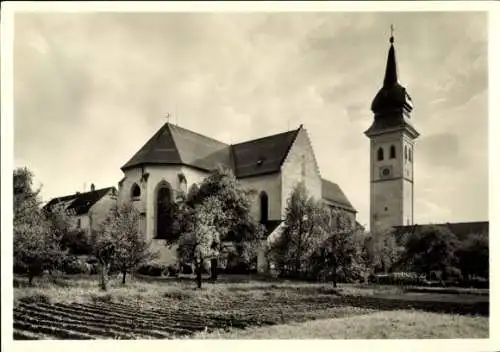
x=392, y=153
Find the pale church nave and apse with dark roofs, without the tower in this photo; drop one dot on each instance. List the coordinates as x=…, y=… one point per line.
x=176, y=158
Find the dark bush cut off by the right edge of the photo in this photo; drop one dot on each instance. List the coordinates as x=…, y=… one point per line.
x=473, y=256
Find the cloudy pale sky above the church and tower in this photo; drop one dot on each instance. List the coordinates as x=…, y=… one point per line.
x=91, y=88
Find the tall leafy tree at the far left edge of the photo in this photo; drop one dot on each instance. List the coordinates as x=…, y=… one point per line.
x=36, y=244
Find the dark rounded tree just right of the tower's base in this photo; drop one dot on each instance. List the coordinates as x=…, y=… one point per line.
x=431, y=248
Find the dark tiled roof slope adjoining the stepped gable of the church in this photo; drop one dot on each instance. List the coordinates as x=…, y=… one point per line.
x=263, y=155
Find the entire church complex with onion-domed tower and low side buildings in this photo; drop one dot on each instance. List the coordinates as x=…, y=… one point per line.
x=175, y=158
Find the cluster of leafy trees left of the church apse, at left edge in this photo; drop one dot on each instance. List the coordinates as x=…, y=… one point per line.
x=44, y=239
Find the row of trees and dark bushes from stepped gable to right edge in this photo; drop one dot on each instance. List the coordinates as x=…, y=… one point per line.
x=319, y=243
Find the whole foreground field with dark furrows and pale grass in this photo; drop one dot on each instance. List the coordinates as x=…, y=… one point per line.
x=304, y=310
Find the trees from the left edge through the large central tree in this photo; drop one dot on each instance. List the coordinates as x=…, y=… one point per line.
x=209, y=223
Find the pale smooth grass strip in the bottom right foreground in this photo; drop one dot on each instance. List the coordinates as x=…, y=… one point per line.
x=379, y=325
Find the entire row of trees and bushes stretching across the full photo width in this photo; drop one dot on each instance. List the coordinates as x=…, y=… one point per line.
x=212, y=224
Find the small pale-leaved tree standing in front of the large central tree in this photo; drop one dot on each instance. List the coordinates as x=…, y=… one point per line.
x=200, y=239
